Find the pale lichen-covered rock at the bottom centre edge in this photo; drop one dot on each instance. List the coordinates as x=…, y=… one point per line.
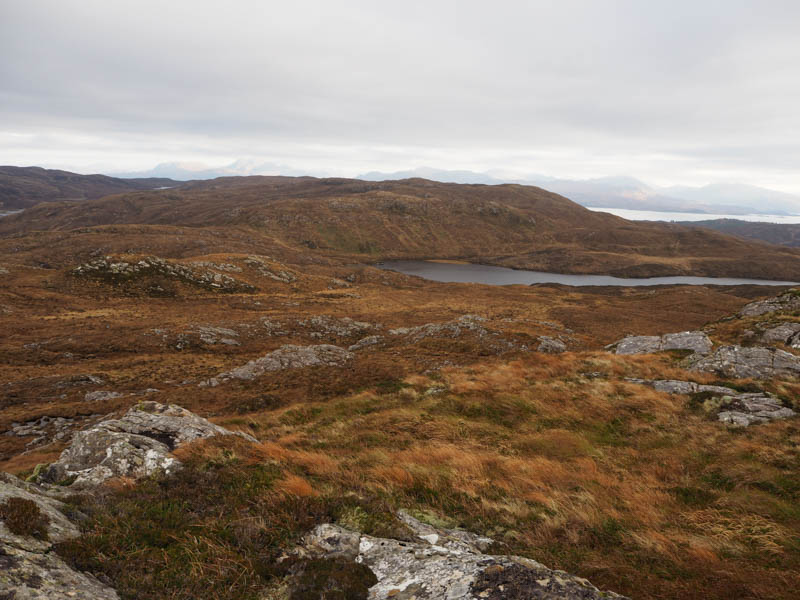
x=444, y=564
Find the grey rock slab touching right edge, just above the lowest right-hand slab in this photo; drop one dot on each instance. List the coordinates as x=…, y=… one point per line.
x=756, y=362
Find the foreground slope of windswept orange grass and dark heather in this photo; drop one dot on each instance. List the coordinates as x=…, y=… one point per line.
x=613, y=481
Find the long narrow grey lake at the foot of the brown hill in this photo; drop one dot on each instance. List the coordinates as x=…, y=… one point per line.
x=469, y=273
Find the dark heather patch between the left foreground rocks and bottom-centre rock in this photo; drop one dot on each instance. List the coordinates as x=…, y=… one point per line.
x=215, y=530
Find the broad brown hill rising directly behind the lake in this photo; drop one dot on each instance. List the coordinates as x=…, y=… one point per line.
x=352, y=220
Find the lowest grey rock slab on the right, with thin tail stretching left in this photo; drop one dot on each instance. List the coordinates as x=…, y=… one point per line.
x=735, y=408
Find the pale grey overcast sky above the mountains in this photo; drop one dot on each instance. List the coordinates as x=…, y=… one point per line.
x=673, y=91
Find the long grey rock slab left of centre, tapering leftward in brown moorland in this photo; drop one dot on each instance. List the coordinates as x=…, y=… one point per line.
x=285, y=357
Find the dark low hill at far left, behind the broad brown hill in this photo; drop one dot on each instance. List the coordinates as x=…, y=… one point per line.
x=23, y=187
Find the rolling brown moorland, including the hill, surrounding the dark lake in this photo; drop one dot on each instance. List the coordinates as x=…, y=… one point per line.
x=361, y=393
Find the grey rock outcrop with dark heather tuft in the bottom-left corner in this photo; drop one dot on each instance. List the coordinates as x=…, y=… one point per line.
x=30, y=523
